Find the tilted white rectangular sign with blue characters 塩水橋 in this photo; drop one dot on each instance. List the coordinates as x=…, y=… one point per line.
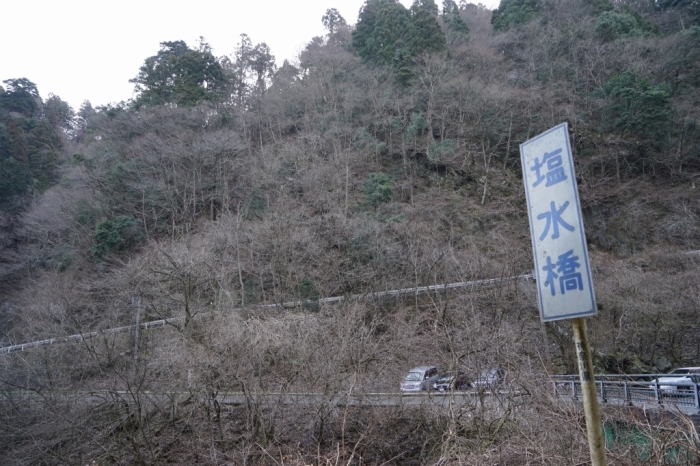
x=562, y=270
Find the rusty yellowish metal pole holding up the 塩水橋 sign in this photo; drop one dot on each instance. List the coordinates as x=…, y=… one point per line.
x=590, y=400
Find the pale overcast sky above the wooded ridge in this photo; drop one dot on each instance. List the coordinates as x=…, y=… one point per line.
x=88, y=50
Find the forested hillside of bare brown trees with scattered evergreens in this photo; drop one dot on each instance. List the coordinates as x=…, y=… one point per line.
x=384, y=156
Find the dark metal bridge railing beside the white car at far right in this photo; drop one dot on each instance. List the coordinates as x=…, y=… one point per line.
x=633, y=389
